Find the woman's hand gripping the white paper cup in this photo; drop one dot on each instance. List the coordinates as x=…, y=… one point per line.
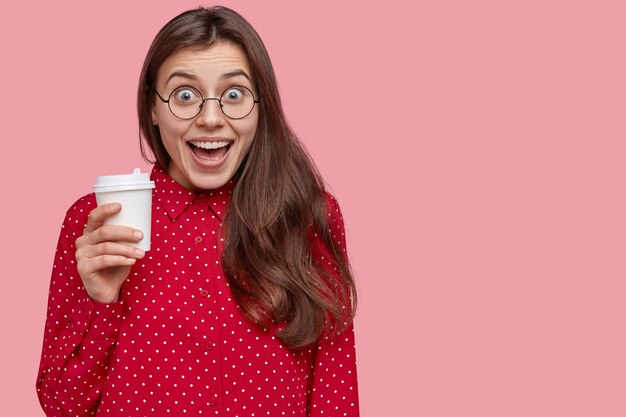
x=102, y=255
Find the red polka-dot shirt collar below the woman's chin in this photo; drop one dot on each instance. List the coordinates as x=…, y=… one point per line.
x=175, y=198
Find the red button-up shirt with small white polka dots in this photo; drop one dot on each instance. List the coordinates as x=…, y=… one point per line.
x=177, y=343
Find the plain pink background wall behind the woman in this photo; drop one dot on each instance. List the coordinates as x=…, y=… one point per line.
x=480, y=170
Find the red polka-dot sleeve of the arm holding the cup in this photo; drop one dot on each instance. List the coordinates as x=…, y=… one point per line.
x=79, y=334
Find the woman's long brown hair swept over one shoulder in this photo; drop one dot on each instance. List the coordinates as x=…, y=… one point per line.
x=276, y=228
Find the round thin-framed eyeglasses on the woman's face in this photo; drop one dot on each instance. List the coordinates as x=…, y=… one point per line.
x=185, y=102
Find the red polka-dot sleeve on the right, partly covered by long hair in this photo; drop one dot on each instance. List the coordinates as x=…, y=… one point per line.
x=333, y=388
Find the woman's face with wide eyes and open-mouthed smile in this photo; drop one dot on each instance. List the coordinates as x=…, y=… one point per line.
x=206, y=150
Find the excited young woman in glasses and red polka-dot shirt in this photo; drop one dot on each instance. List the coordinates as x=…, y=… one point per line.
x=244, y=304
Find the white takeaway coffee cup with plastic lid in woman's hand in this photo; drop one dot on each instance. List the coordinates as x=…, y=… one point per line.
x=134, y=193
